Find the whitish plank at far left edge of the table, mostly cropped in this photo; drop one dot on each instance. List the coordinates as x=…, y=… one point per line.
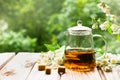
x=5, y=57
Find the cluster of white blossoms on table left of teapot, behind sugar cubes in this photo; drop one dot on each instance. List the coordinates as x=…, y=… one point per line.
x=51, y=58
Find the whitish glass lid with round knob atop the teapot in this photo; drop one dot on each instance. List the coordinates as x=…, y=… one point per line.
x=79, y=29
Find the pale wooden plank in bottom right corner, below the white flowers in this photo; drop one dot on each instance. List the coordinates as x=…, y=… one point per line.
x=114, y=75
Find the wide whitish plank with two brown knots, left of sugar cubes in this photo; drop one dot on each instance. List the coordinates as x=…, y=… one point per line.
x=19, y=67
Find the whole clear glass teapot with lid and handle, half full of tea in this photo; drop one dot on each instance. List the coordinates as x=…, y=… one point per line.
x=79, y=50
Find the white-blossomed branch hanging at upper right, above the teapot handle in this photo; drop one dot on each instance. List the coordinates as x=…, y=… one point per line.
x=108, y=24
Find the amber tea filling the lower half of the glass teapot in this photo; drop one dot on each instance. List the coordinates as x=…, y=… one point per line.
x=80, y=60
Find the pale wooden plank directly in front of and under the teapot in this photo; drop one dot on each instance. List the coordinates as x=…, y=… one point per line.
x=71, y=75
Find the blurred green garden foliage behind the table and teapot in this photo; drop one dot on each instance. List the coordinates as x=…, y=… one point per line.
x=27, y=25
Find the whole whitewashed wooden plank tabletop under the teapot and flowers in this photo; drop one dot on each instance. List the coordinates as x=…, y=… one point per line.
x=23, y=66
